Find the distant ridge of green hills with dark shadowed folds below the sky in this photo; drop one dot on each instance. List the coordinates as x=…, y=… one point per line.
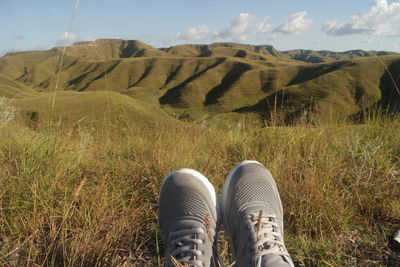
x=220, y=78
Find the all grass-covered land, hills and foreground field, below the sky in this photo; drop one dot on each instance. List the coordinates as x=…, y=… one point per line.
x=81, y=161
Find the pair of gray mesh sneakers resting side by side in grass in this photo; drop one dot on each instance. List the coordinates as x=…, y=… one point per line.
x=250, y=210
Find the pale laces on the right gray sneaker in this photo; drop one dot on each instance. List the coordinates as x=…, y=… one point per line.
x=268, y=239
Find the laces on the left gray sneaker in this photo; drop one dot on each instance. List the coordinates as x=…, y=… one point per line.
x=186, y=245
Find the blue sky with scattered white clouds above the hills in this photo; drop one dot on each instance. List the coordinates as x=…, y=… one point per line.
x=338, y=25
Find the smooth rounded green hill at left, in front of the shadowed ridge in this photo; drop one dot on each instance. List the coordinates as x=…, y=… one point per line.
x=90, y=109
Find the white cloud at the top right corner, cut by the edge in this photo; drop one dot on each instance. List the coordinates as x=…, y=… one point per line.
x=382, y=19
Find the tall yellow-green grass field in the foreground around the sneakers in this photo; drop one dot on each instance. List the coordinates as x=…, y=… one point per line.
x=86, y=195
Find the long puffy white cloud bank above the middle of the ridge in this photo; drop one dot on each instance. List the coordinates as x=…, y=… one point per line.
x=247, y=25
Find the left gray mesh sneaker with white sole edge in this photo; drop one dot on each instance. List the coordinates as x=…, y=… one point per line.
x=188, y=219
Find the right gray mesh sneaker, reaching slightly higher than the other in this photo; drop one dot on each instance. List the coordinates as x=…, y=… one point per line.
x=252, y=216
